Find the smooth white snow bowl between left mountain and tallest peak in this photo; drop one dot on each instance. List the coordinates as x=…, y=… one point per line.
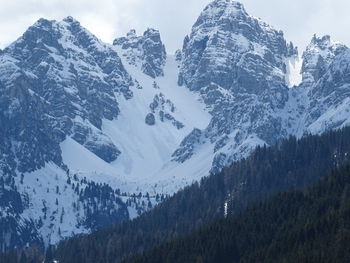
x=145, y=160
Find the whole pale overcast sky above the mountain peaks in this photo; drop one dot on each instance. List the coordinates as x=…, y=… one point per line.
x=299, y=19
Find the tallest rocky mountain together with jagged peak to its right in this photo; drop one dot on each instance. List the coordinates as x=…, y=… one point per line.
x=256, y=87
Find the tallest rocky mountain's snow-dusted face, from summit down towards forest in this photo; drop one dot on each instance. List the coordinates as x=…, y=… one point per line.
x=237, y=64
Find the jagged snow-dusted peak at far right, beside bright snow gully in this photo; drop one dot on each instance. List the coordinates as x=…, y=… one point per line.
x=327, y=84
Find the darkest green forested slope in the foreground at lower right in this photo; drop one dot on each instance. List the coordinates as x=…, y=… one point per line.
x=300, y=226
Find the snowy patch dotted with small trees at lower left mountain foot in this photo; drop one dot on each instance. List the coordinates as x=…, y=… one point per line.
x=35, y=188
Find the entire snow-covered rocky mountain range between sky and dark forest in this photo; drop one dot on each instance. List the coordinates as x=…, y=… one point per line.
x=95, y=133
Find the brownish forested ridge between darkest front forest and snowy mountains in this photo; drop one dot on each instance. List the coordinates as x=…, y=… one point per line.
x=291, y=164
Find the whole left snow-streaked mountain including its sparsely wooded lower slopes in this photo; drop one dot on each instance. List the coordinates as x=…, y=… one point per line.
x=60, y=84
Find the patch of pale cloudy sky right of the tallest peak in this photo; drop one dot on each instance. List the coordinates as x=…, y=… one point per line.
x=301, y=19
